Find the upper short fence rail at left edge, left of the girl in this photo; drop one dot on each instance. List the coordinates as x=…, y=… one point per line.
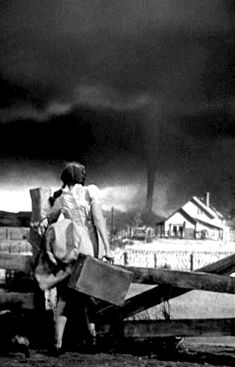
x=16, y=262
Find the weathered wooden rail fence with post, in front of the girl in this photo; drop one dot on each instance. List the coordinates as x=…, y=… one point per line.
x=167, y=284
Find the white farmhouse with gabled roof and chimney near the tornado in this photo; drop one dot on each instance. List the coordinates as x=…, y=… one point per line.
x=196, y=219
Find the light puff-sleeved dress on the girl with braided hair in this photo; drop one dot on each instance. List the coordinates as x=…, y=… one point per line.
x=76, y=233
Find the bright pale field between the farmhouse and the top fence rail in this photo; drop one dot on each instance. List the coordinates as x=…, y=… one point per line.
x=174, y=253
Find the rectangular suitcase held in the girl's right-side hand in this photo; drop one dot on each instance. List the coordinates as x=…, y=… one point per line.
x=101, y=280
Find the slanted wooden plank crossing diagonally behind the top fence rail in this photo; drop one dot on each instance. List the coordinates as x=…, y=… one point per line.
x=157, y=294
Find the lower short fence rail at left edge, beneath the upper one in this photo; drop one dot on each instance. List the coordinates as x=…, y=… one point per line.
x=21, y=300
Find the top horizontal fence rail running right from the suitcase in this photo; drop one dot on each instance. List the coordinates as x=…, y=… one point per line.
x=184, y=279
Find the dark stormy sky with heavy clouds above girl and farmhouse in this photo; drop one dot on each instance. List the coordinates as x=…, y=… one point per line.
x=119, y=85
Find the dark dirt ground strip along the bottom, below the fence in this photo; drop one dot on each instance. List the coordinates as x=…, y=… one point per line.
x=189, y=353
